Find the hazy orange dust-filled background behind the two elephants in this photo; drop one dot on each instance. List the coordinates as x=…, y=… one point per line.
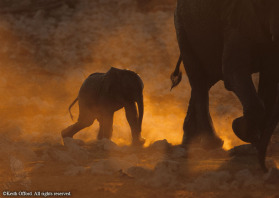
x=49, y=48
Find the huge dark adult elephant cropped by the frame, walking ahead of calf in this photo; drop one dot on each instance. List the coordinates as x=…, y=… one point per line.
x=228, y=40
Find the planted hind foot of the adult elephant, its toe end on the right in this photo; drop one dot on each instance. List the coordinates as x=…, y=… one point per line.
x=210, y=142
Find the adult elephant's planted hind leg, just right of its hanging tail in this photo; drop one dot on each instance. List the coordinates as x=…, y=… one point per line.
x=198, y=123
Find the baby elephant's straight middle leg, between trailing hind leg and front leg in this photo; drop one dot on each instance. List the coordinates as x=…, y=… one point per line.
x=106, y=124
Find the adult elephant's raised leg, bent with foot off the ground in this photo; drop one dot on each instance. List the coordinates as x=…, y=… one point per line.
x=237, y=77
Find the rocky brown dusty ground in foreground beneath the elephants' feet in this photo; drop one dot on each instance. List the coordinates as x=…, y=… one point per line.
x=103, y=169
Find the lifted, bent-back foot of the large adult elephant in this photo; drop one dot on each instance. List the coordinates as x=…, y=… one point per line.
x=246, y=132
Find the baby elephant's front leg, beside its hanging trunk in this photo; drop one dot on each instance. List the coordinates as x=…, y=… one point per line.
x=133, y=120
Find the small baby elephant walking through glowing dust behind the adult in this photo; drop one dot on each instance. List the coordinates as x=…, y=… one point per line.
x=101, y=94
